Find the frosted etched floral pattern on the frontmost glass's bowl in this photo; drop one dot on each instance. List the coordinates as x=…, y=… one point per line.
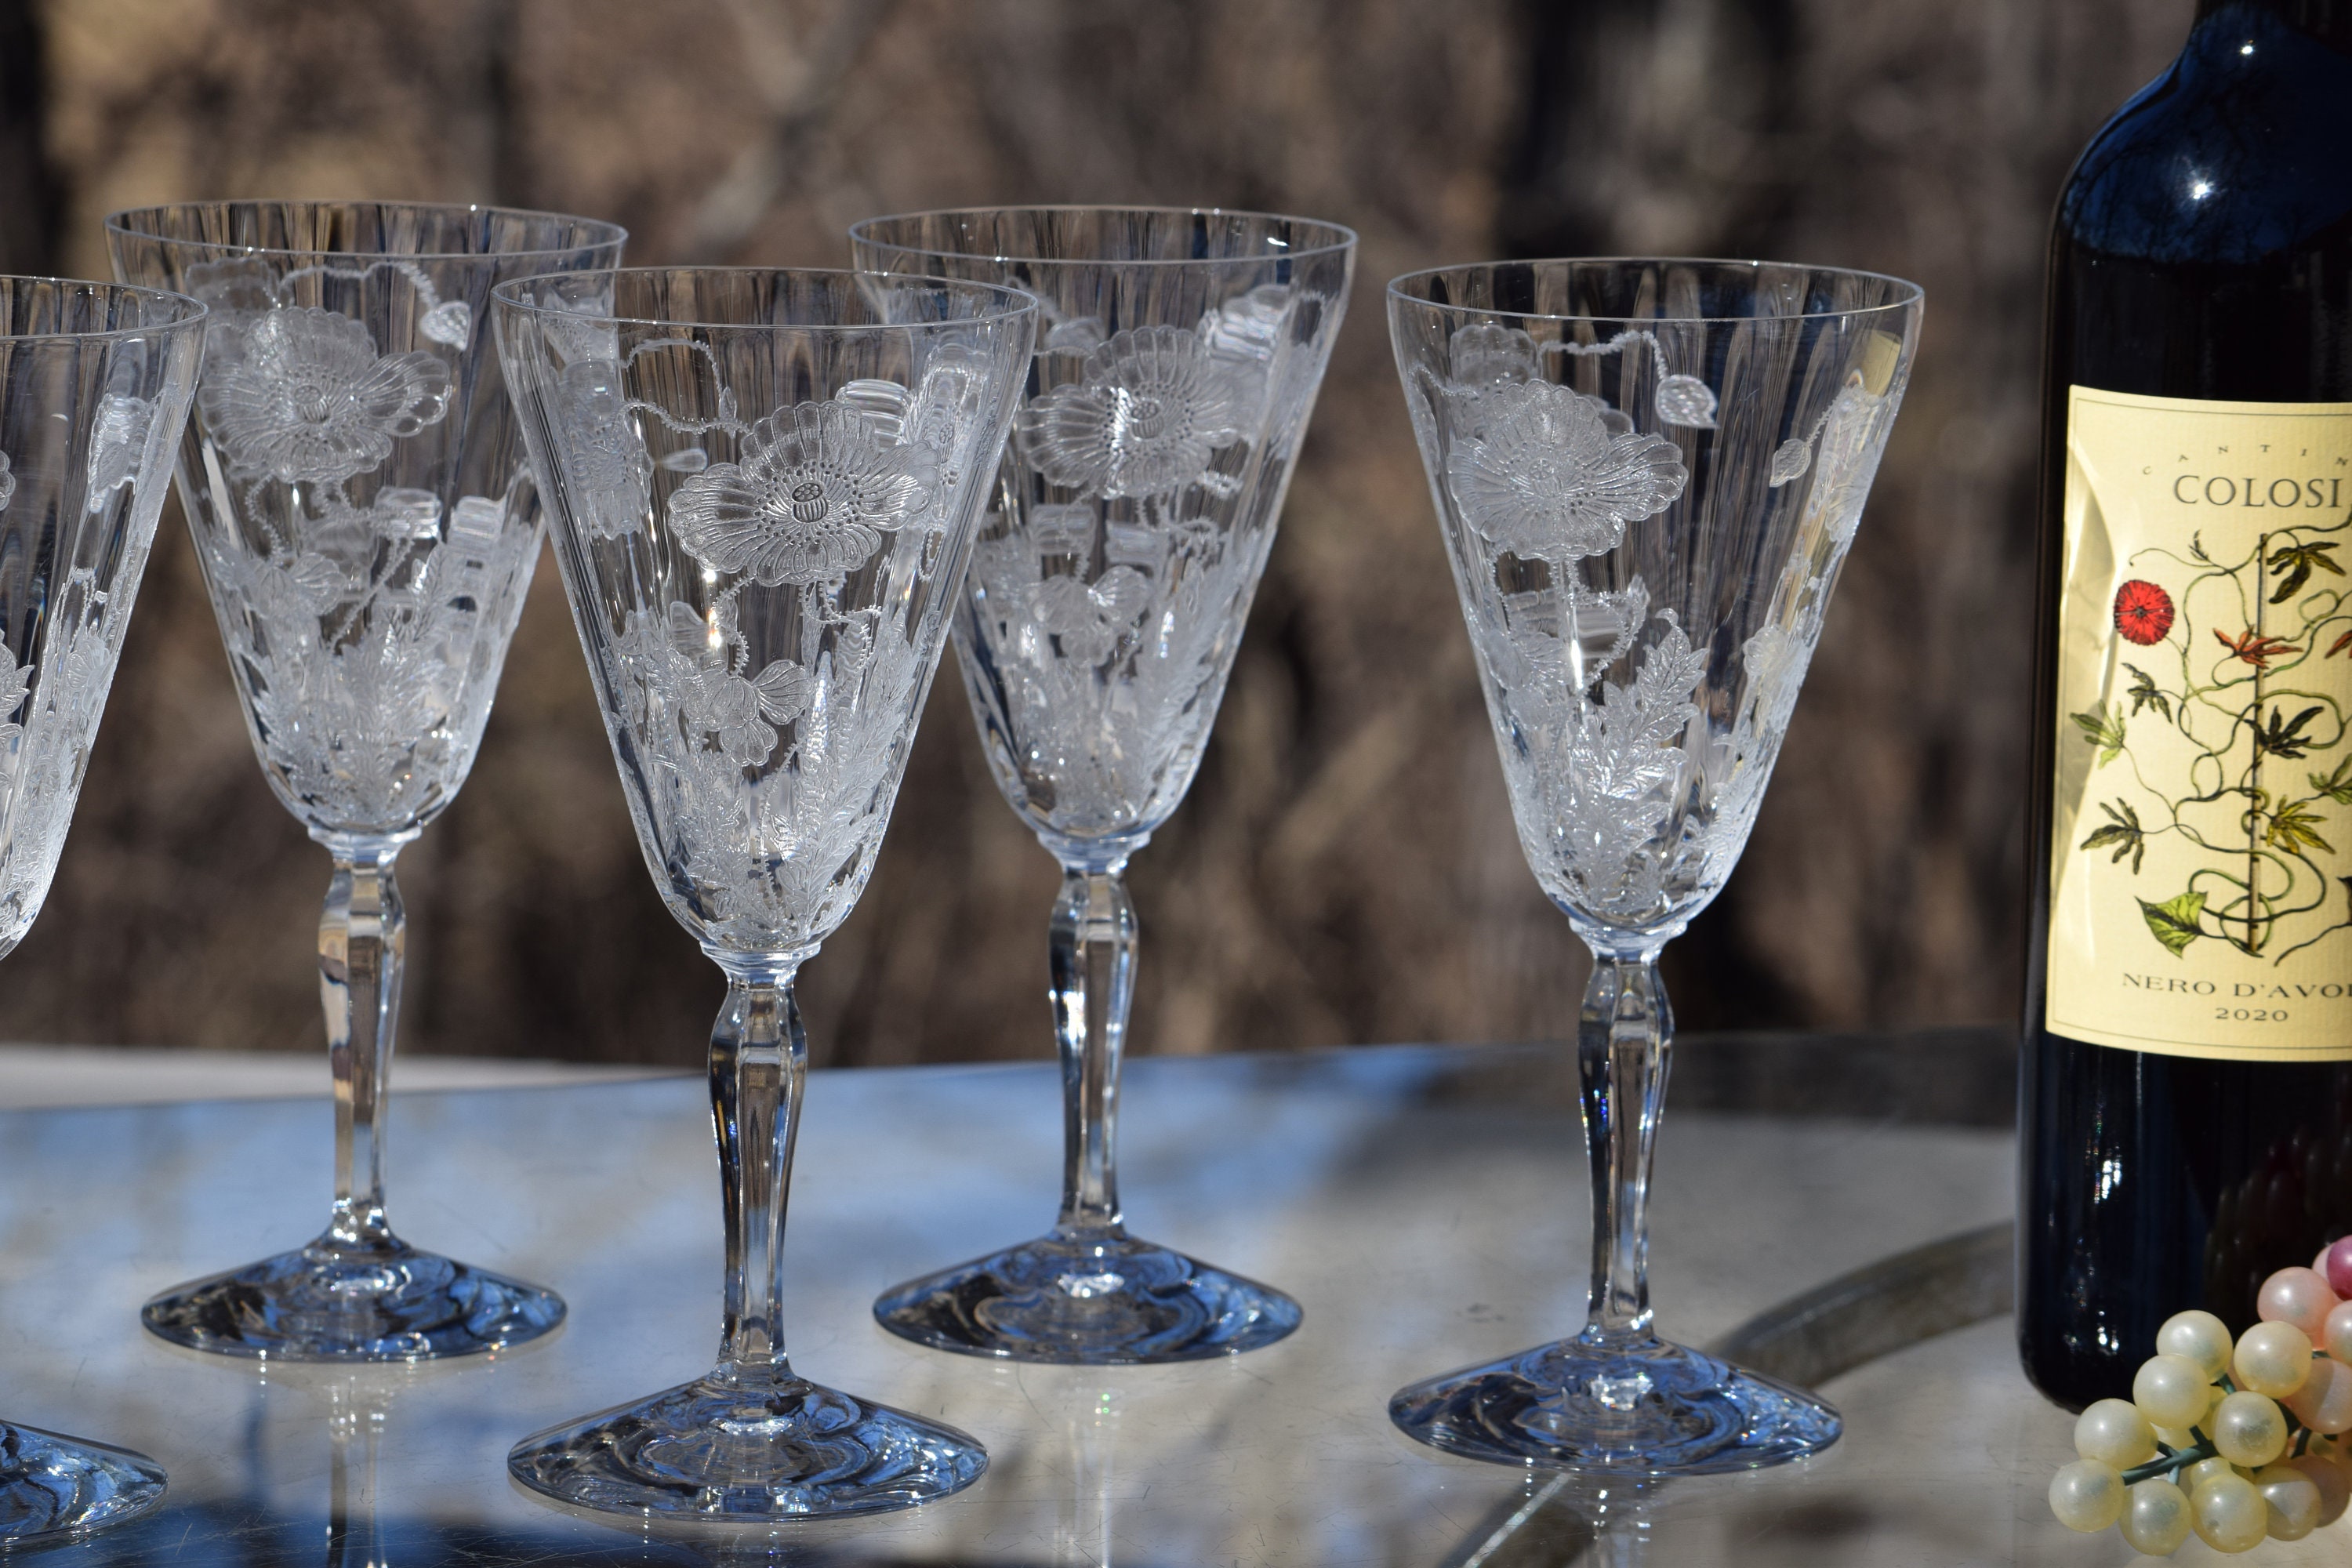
x=770, y=690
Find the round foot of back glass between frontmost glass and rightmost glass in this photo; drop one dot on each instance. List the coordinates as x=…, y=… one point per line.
x=1097, y=1299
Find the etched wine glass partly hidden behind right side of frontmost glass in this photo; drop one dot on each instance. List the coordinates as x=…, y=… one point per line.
x=1107, y=601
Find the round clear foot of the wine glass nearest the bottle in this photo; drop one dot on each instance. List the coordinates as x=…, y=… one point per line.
x=1645, y=1409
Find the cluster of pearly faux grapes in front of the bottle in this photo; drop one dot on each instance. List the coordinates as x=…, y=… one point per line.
x=2205, y=1445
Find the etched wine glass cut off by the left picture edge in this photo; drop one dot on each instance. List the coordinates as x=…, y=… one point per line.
x=95, y=384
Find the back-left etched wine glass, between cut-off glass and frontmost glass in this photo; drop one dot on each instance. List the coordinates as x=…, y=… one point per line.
x=368, y=530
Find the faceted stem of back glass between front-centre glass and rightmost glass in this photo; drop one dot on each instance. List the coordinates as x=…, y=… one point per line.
x=1095, y=979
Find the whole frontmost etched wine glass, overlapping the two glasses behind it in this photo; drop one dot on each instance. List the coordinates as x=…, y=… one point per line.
x=766, y=490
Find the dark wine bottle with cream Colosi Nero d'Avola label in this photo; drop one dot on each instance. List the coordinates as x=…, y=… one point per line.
x=2186, y=1076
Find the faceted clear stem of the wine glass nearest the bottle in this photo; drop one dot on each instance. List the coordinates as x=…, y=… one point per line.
x=1624, y=1040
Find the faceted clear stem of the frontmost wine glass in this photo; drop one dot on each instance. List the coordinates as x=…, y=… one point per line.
x=759, y=1068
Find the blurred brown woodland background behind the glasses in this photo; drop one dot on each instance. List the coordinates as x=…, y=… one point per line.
x=1344, y=869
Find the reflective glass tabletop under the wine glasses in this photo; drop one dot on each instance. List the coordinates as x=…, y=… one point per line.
x=1377, y=1186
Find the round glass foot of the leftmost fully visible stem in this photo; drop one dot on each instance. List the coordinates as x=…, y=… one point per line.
x=354, y=1304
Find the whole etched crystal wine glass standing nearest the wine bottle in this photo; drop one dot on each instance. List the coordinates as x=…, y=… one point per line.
x=1650, y=476
